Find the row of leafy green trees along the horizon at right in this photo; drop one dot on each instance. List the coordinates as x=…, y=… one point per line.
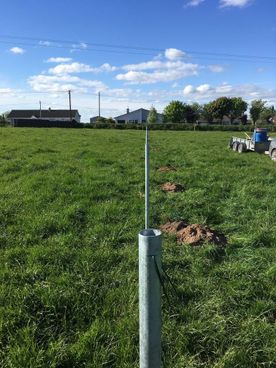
x=232, y=107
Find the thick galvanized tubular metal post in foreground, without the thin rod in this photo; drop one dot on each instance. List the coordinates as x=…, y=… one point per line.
x=150, y=241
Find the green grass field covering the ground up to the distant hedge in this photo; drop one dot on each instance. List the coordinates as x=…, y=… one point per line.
x=71, y=207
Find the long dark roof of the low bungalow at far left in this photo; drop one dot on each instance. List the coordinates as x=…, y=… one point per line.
x=44, y=113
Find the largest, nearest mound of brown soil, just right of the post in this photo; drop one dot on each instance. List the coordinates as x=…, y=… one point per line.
x=194, y=234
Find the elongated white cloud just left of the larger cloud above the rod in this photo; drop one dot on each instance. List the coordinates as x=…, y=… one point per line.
x=77, y=67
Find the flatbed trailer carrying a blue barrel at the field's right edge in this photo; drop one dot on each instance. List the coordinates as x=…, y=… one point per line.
x=259, y=142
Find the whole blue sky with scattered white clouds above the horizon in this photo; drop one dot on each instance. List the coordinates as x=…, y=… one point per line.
x=137, y=53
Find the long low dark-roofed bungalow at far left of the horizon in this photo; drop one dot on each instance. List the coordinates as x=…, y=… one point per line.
x=38, y=117
